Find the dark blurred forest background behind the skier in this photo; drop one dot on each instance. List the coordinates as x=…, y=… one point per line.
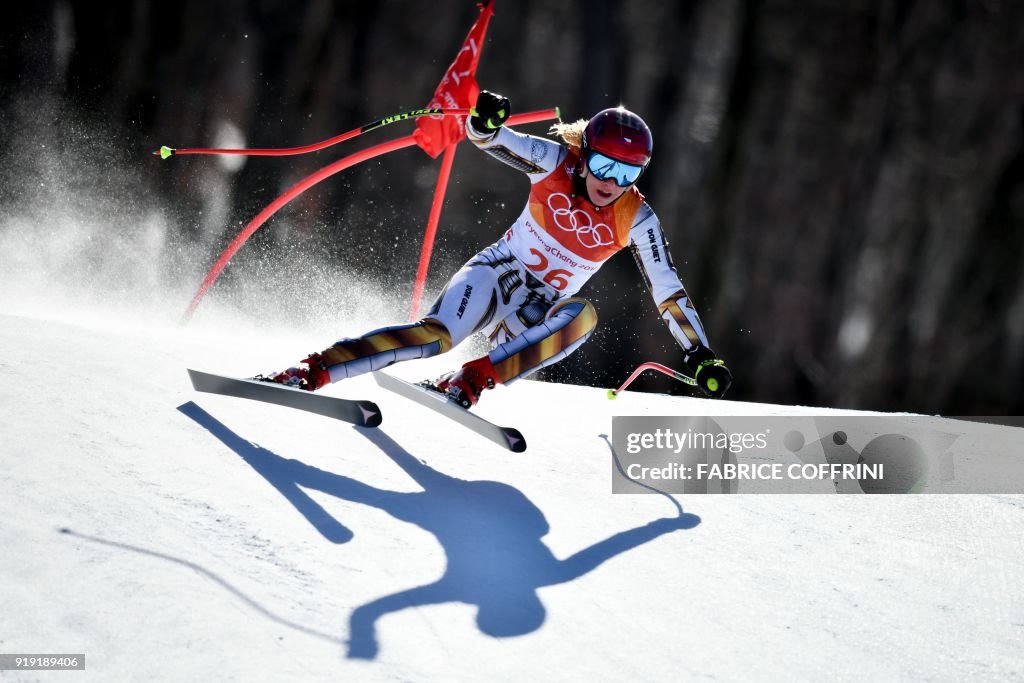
x=843, y=183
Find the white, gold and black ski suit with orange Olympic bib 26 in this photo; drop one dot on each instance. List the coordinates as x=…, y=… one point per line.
x=521, y=291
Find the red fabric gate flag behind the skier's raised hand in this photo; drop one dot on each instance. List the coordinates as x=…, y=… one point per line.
x=458, y=91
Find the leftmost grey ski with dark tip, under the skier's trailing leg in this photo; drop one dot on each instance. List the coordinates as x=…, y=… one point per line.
x=363, y=413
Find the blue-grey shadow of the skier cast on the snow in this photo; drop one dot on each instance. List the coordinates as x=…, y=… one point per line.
x=491, y=533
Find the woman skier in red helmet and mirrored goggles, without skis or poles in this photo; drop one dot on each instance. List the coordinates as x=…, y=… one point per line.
x=583, y=208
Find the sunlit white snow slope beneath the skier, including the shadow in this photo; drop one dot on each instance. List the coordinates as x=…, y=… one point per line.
x=174, y=536
